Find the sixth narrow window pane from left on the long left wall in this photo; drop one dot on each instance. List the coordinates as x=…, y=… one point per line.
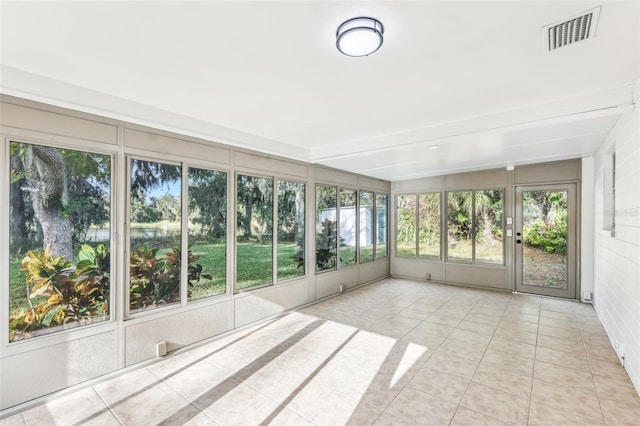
x=326, y=228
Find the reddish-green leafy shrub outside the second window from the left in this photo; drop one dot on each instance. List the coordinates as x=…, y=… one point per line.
x=155, y=280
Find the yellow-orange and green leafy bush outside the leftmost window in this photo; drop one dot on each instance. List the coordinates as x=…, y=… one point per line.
x=63, y=292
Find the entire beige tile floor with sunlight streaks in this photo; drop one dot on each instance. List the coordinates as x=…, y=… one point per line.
x=392, y=353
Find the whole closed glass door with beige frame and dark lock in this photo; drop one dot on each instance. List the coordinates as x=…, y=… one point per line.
x=546, y=240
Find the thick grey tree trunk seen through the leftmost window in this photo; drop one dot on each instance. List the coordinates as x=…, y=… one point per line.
x=47, y=181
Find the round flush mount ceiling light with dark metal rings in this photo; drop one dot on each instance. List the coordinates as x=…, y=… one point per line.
x=359, y=36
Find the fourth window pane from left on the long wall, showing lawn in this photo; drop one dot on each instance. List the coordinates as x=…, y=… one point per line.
x=254, y=249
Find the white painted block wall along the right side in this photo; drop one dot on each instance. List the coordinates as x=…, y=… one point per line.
x=617, y=256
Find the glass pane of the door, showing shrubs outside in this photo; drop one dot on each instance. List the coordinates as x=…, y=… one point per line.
x=544, y=257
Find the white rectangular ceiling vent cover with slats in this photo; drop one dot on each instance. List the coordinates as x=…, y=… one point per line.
x=572, y=30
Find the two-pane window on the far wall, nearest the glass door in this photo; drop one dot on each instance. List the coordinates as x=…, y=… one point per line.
x=474, y=226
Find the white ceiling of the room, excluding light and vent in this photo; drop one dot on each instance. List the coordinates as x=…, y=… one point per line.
x=470, y=77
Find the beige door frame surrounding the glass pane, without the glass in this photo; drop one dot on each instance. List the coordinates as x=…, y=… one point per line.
x=573, y=239
